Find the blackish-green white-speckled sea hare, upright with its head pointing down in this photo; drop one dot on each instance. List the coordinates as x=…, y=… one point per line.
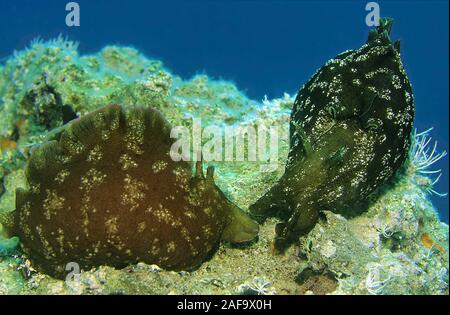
x=349, y=133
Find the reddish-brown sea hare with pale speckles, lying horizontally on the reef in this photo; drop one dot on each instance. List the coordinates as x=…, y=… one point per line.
x=107, y=192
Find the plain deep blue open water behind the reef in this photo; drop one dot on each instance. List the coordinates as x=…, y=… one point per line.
x=265, y=47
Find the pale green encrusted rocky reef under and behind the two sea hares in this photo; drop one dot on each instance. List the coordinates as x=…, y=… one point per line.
x=396, y=244
